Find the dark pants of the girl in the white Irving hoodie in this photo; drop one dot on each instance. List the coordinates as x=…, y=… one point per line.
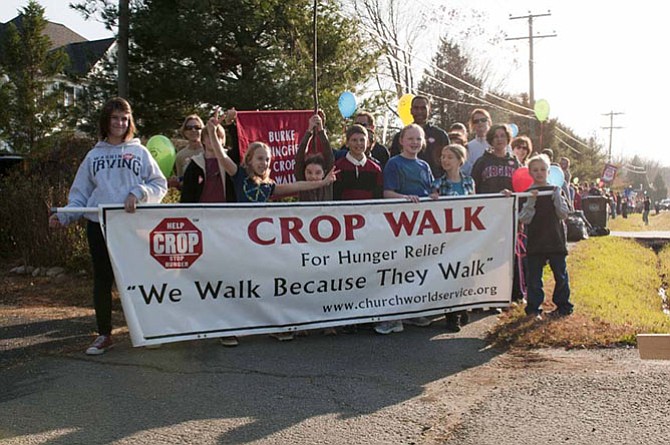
x=103, y=278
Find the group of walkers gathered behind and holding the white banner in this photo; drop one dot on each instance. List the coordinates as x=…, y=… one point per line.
x=424, y=161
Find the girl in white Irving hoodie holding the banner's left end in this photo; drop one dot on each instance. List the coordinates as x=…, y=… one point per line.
x=117, y=170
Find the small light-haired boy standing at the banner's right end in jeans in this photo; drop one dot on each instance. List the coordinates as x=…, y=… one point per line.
x=544, y=218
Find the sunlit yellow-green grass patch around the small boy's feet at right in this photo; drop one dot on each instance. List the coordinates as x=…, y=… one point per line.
x=614, y=286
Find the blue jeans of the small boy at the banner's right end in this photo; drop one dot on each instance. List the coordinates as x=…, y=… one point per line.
x=534, y=283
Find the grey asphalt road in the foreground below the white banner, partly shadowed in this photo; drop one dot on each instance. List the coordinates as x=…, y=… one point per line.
x=422, y=386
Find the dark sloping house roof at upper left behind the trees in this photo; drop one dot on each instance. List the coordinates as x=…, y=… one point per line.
x=84, y=54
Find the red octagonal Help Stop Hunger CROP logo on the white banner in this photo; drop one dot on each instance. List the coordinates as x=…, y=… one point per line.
x=176, y=243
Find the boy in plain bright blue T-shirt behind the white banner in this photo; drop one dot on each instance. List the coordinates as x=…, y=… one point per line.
x=407, y=177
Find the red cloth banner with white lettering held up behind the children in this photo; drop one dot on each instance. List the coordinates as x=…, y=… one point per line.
x=281, y=130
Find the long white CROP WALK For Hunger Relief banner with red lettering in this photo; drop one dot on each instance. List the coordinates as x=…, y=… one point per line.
x=200, y=271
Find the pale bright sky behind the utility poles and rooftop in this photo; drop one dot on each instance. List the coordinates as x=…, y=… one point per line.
x=607, y=56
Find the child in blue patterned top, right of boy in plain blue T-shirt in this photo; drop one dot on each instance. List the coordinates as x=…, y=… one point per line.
x=453, y=183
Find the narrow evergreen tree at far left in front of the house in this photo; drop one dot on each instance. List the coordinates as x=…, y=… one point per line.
x=31, y=96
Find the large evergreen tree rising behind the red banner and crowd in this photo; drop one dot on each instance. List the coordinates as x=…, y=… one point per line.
x=247, y=54
